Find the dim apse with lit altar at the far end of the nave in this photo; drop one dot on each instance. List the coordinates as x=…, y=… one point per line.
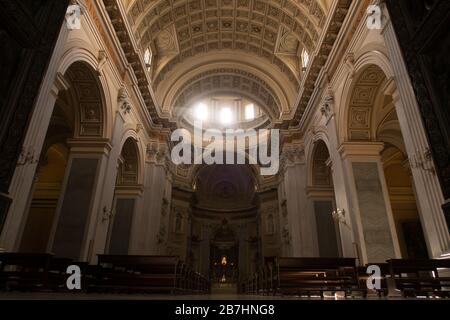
x=225, y=223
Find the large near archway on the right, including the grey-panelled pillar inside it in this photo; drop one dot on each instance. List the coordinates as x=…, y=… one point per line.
x=374, y=148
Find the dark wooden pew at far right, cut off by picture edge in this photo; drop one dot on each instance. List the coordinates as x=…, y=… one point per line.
x=415, y=278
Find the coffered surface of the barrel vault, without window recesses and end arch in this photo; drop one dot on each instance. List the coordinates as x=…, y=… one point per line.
x=247, y=25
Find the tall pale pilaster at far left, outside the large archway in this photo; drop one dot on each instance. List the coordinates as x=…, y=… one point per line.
x=21, y=186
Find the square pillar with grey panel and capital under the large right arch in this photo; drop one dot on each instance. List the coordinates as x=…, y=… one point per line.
x=370, y=205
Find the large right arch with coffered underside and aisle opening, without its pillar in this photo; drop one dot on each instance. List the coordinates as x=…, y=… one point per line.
x=368, y=114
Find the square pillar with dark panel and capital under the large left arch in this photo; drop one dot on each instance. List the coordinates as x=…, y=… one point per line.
x=78, y=210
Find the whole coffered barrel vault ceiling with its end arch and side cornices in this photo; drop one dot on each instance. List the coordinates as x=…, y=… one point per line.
x=251, y=48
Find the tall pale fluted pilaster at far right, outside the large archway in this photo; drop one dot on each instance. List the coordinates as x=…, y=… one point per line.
x=426, y=181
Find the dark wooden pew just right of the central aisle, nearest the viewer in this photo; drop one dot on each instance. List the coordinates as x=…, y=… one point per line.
x=315, y=276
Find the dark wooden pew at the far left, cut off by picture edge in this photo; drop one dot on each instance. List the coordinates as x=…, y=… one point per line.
x=25, y=271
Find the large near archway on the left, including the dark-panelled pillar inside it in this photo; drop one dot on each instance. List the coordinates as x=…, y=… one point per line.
x=64, y=184
